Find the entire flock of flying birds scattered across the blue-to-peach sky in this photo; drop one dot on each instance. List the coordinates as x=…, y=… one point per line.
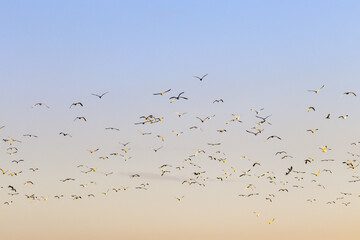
x=197, y=174
